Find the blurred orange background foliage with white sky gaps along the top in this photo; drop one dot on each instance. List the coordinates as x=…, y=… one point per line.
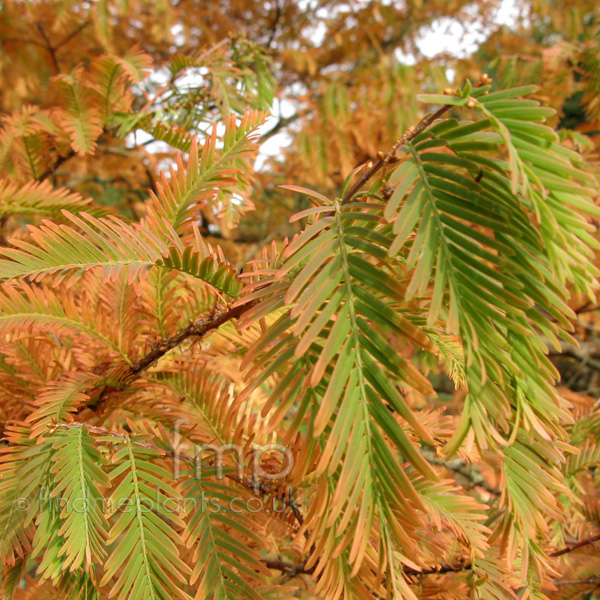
x=339, y=77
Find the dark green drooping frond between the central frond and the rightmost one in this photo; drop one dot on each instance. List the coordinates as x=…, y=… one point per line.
x=473, y=244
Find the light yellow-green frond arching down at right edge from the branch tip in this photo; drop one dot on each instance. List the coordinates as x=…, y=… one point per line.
x=551, y=177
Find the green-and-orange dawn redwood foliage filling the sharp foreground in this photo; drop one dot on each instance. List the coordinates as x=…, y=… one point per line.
x=182, y=423
